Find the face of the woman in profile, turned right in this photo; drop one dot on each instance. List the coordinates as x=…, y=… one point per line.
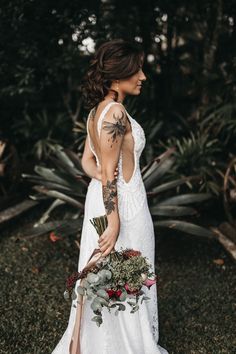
x=132, y=85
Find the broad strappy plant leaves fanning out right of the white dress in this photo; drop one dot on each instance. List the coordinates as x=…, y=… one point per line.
x=163, y=205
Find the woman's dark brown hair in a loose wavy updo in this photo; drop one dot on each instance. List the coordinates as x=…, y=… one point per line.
x=113, y=60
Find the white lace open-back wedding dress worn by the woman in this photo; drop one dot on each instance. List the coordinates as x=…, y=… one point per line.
x=127, y=333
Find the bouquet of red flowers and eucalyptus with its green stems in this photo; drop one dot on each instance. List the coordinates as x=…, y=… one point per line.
x=112, y=281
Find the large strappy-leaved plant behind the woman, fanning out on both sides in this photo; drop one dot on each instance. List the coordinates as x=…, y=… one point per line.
x=67, y=183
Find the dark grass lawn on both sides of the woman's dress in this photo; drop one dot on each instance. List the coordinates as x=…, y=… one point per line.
x=196, y=297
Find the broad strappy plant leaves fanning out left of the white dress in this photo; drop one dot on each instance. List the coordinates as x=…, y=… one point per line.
x=65, y=183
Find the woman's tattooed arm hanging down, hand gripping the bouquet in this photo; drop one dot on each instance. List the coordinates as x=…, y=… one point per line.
x=111, y=138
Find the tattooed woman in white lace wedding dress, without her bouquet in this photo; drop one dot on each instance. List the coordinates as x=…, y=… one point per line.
x=115, y=139
